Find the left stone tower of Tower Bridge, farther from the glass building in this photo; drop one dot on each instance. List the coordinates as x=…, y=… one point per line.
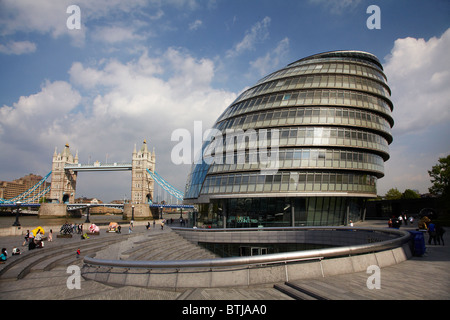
x=64, y=182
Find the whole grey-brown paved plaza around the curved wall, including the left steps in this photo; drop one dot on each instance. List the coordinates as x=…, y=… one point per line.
x=419, y=278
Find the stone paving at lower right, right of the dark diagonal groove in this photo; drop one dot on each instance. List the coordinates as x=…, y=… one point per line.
x=414, y=279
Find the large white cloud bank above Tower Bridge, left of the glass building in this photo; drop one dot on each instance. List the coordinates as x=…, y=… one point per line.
x=109, y=106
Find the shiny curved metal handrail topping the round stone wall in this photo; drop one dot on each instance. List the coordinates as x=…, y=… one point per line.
x=286, y=257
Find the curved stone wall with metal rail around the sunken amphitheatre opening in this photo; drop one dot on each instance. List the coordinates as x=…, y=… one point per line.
x=357, y=249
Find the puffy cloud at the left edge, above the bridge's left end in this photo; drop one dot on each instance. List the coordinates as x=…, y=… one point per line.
x=34, y=122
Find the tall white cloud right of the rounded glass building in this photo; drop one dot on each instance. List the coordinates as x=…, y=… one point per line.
x=418, y=75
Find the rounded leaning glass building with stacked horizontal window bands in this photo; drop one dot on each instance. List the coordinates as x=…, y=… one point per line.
x=304, y=146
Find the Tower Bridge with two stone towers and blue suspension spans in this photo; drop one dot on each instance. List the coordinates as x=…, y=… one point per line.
x=65, y=168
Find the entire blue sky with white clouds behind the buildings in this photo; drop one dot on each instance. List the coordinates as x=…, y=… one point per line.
x=114, y=73
